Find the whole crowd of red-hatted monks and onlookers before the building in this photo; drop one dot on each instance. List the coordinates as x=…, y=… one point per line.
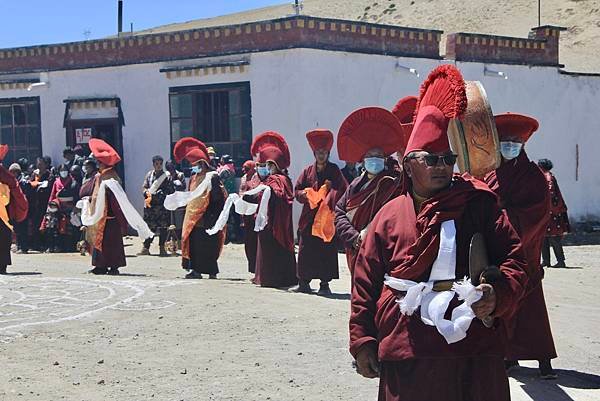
x=406, y=221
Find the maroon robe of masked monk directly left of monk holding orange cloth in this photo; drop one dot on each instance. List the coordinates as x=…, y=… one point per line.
x=275, y=259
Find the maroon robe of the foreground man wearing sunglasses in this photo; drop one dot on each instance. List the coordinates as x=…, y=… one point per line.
x=405, y=245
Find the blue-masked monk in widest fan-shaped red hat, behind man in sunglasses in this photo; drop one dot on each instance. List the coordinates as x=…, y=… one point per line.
x=368, y=135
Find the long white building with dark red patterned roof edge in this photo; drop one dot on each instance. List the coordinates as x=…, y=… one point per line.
x=227, y=84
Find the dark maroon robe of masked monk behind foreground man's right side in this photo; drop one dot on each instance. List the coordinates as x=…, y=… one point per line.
x=523, y=193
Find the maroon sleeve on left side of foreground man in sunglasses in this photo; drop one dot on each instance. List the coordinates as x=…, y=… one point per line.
x=368, y=279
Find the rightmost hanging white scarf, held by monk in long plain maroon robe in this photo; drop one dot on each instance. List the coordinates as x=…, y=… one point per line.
x=246, y=209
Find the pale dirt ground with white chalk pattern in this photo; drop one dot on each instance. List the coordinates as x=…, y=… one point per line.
x=149, y=335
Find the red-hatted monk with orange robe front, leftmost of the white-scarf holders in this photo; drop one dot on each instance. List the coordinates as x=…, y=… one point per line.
x=106, y=236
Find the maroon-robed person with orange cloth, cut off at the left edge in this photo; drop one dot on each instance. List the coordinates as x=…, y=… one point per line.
x=13, y=209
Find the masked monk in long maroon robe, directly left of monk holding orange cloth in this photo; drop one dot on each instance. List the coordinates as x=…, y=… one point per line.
x=275, y=259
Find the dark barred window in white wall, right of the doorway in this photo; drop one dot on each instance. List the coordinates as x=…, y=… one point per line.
x=218, y=115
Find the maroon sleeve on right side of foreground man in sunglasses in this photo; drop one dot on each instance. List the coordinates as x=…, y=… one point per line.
x=504, y=247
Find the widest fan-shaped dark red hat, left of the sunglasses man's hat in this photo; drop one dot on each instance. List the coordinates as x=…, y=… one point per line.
x=369, y=128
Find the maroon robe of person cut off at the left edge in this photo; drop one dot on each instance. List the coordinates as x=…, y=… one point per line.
x=17, y=211
